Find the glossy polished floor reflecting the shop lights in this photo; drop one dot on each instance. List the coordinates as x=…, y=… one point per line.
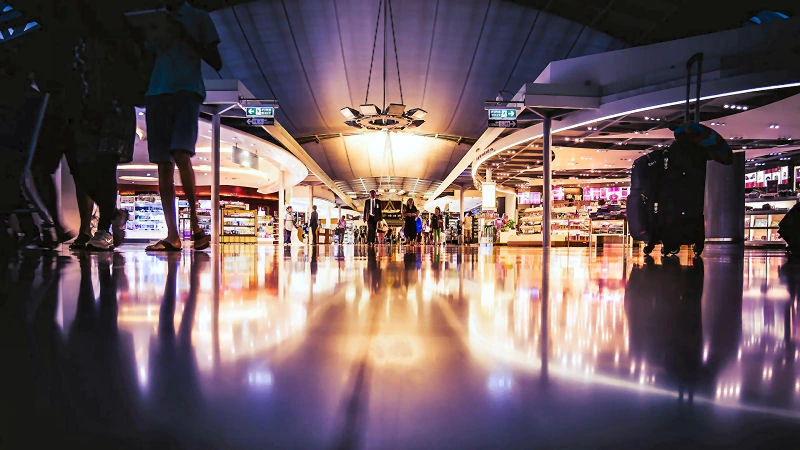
x=349, y=347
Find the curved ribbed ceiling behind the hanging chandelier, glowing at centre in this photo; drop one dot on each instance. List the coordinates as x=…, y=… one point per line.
x=314, y=57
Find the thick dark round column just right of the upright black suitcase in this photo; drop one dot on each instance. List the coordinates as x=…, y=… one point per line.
x=724, y=203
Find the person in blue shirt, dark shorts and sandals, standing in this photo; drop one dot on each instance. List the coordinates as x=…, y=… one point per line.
x=173, y=106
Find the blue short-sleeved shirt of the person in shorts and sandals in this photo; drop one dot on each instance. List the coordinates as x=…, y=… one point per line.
x=177, y=65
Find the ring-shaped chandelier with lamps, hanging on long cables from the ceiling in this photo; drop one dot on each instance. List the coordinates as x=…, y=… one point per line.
x=393, y=116
